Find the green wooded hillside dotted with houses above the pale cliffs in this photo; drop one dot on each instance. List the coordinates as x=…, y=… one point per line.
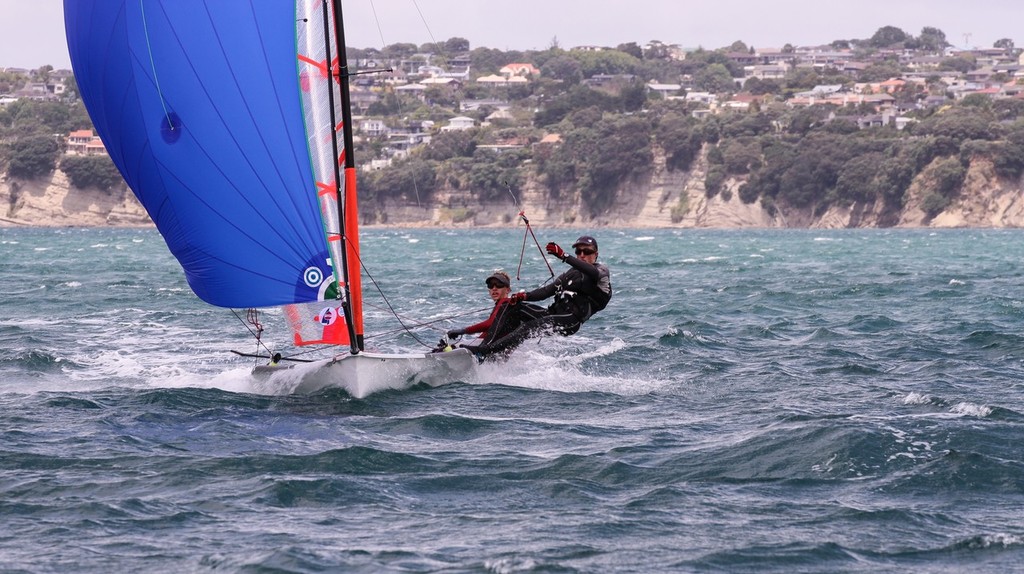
x=588, y=133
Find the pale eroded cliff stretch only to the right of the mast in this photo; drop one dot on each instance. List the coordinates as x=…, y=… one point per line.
x=664, y=199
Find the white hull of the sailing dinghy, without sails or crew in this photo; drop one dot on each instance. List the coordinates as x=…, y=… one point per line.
x=369, y=373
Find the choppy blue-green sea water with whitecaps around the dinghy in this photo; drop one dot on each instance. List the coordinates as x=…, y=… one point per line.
x=751, y=402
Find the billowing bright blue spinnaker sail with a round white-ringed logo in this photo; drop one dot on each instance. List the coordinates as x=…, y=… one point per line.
x=198, y=103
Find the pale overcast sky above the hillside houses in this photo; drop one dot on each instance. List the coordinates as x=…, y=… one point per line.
x=32, y=31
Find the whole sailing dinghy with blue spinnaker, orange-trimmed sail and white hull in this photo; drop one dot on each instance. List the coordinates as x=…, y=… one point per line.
x=224, y=118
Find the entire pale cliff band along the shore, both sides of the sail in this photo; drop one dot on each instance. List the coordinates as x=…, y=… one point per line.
x=659, y=199
